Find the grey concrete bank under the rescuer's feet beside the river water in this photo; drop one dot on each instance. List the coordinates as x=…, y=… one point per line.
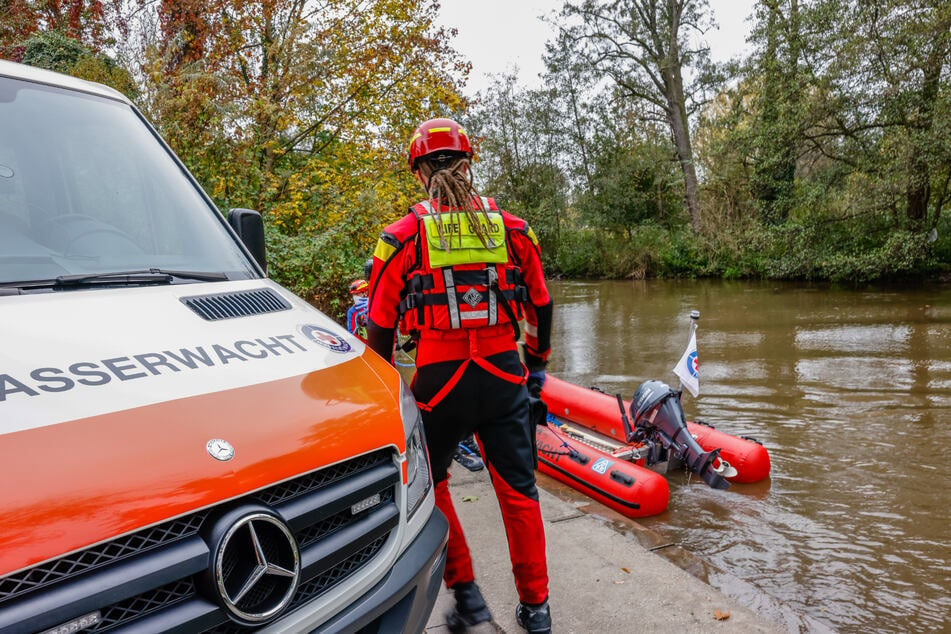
x=601, y=579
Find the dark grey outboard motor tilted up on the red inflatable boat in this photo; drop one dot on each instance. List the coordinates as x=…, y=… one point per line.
x=659, y=418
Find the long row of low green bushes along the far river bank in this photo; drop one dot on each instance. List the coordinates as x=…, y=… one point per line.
x=860, y=249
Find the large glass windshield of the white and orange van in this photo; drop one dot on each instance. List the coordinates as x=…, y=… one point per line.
x=86, y=188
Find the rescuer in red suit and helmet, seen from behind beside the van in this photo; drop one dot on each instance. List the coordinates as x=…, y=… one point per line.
x=458, y=274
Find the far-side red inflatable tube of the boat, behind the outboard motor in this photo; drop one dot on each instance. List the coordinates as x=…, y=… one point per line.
x=594, y=411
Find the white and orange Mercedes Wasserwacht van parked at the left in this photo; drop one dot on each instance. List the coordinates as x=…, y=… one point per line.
x=184, y=444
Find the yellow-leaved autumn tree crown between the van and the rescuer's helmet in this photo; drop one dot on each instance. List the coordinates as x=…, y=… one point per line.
x=305, y=91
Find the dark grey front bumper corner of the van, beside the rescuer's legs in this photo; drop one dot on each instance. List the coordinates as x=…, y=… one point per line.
x=403, y=600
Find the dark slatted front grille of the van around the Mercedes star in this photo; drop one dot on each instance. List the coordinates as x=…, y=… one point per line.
x=151, y=577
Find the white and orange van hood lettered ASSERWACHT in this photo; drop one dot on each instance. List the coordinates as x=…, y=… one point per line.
x=112, y=403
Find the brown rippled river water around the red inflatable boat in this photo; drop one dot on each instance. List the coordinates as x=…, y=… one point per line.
x=850, y=392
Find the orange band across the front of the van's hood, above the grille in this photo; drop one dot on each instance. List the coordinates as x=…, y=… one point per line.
x=75, y=484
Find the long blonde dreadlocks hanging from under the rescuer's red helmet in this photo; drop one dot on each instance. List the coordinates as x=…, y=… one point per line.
x=450, y=185
